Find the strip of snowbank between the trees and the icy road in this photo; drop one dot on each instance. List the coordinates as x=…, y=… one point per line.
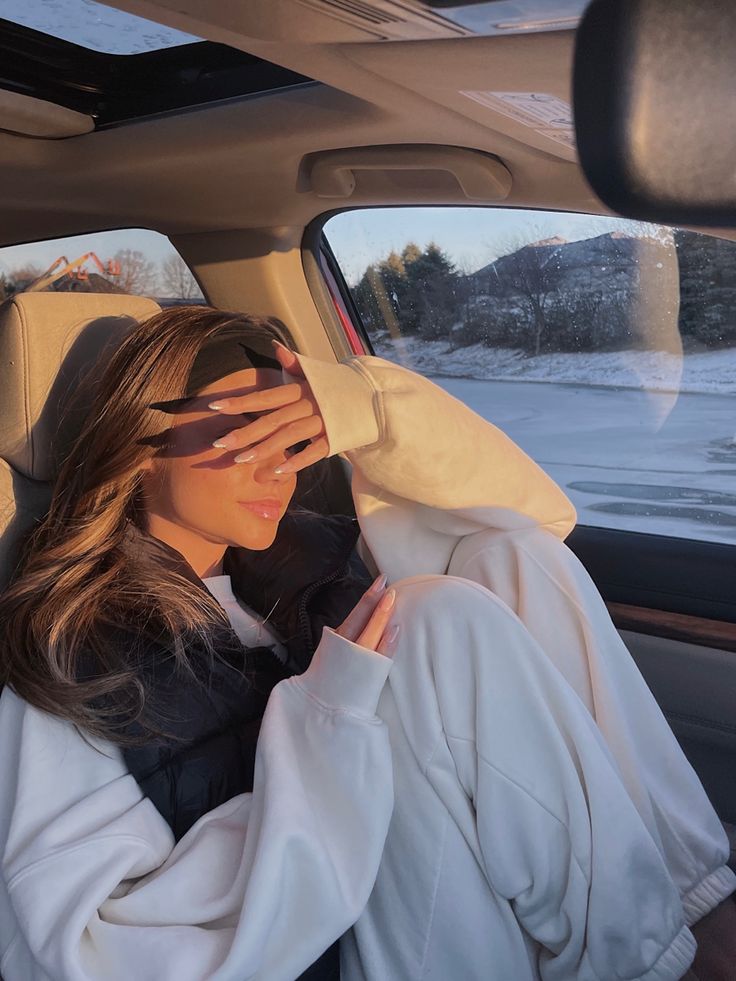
x=655, y=371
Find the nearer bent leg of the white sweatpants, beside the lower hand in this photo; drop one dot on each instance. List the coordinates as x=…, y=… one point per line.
x=515, y=851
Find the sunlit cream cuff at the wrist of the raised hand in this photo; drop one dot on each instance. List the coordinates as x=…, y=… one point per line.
x=347, y=402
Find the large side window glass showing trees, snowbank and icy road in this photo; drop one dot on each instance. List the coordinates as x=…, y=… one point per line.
x=605, y=348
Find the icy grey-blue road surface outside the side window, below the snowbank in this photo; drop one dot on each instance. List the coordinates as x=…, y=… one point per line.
x=644, y=461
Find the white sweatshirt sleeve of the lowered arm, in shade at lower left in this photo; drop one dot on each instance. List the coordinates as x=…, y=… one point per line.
x=258, y=888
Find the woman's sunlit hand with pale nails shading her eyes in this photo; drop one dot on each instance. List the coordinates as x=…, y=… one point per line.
x=296, y=417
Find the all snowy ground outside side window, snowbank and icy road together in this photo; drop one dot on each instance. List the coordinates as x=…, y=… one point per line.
x=629, y=451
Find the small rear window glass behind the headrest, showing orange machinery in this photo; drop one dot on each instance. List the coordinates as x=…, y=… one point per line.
x=133, y=260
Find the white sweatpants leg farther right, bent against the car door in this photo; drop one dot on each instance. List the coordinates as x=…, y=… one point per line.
x=544, y=582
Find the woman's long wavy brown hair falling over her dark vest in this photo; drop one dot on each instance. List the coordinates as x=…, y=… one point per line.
x=74, y=581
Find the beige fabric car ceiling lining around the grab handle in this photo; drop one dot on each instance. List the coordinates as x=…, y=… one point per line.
x=240, y=164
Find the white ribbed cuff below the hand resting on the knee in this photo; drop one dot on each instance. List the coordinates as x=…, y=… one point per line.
x=345, y=676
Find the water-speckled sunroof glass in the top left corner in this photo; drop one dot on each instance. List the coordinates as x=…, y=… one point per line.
x=92, y=25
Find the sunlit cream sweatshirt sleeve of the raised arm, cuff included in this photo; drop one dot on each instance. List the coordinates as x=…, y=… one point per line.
x=427, y=470
